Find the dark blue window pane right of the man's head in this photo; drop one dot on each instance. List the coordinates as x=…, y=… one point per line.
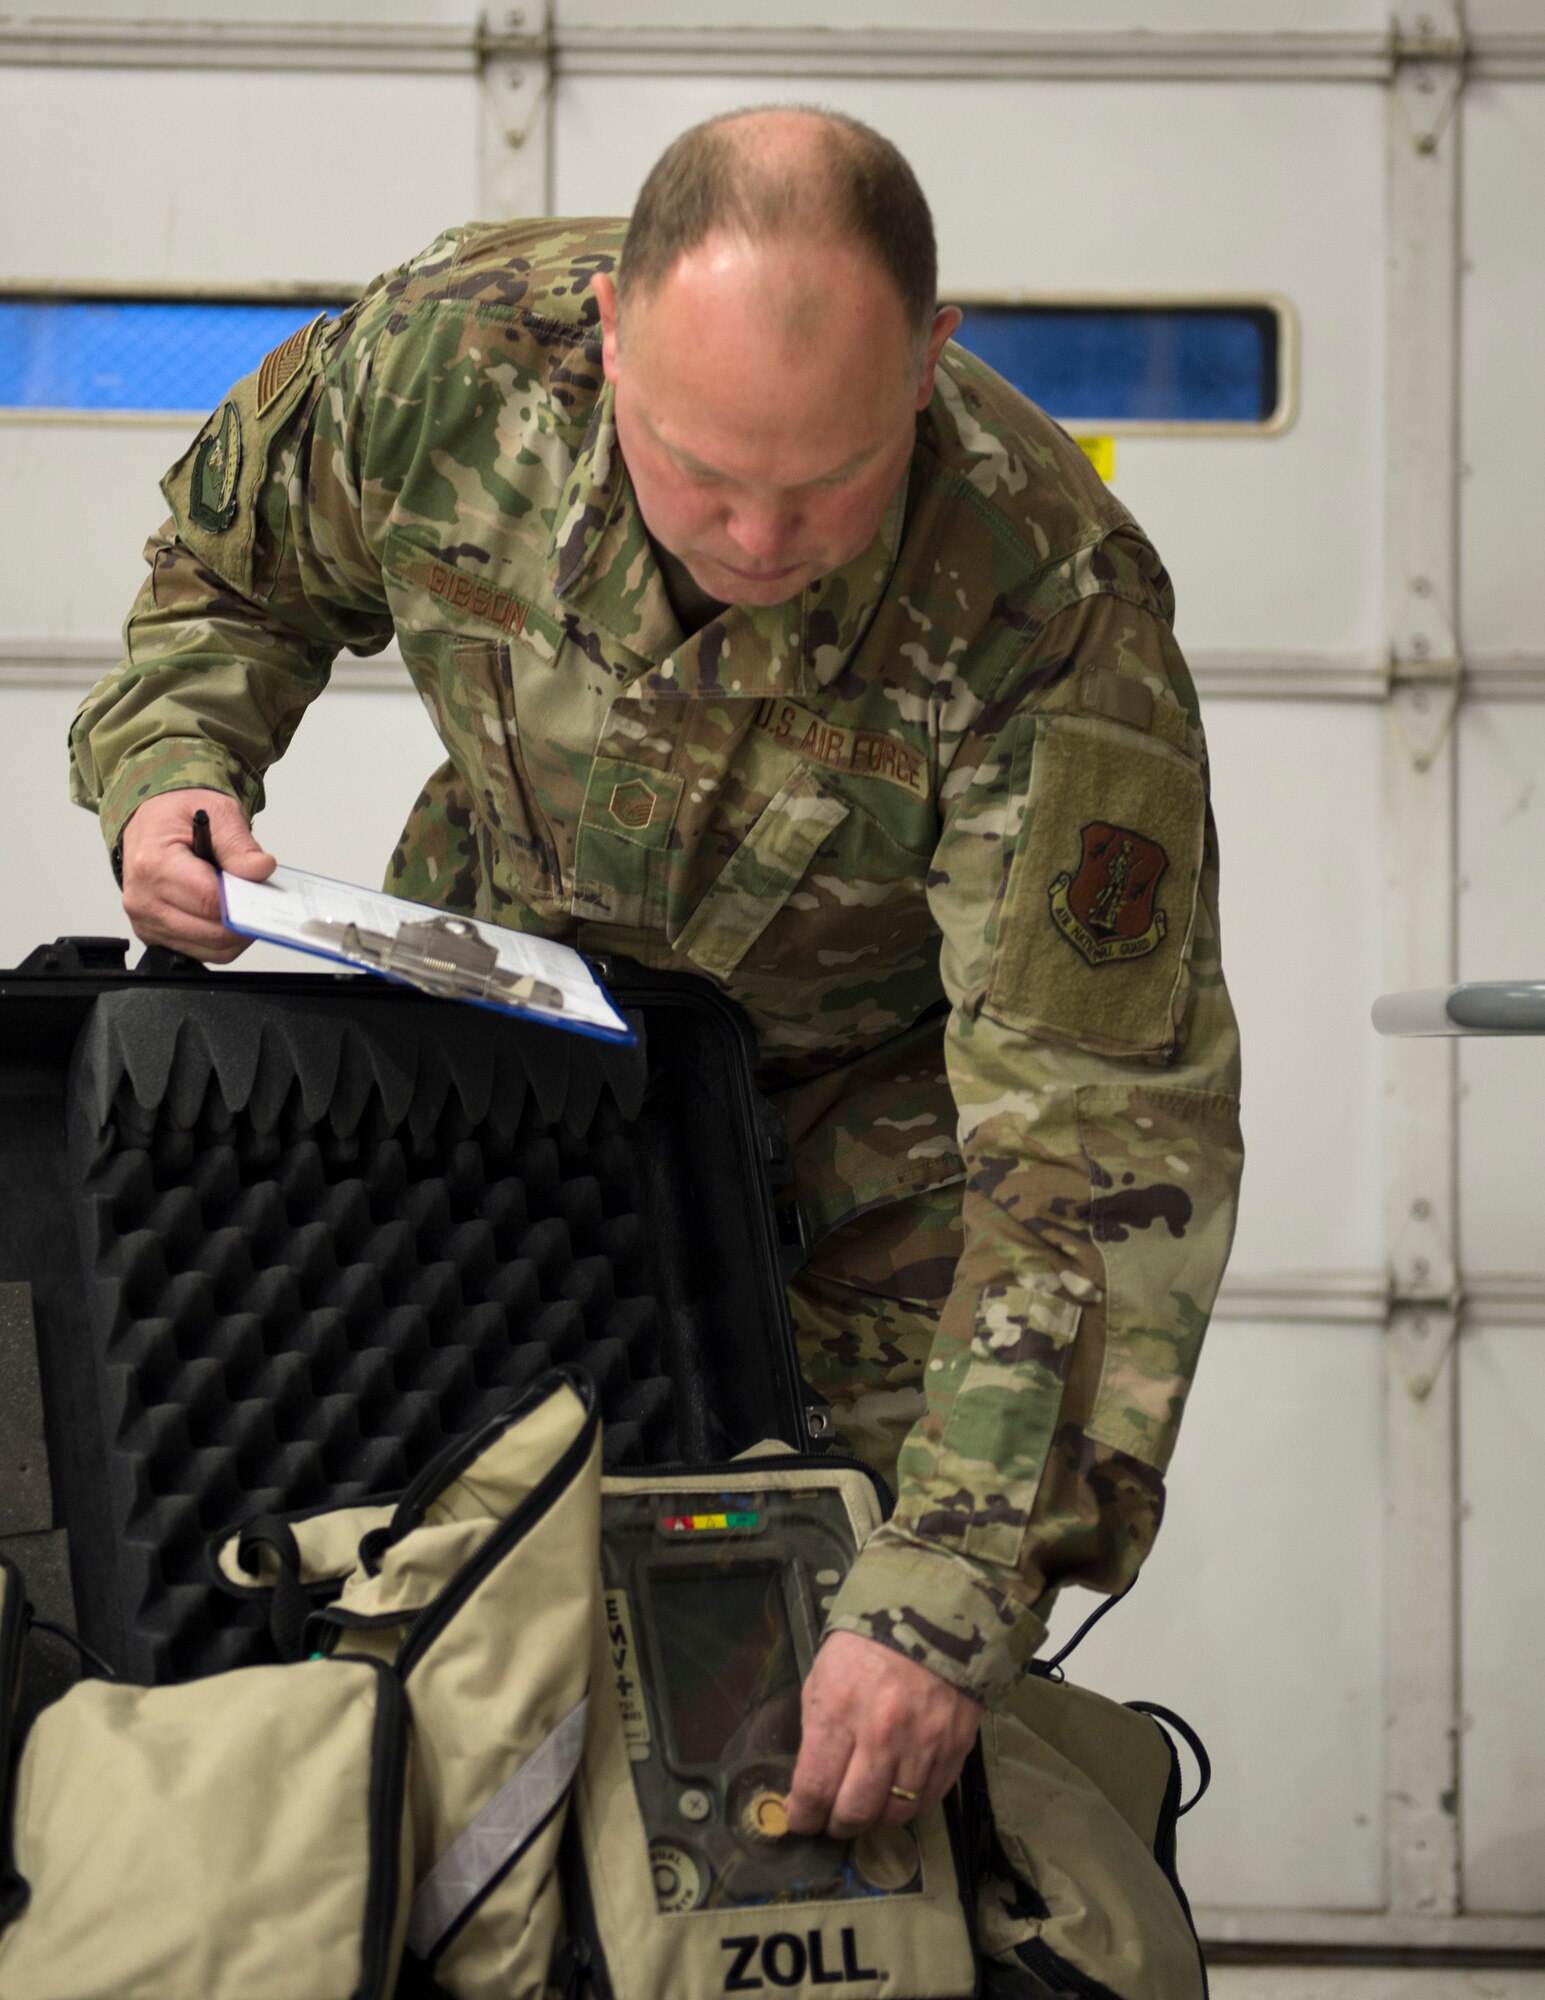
x=1138, y=365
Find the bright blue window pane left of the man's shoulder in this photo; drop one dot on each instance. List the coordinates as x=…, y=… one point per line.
x=133, y=355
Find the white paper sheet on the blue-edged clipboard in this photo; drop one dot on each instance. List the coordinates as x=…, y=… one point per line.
x=309, y=913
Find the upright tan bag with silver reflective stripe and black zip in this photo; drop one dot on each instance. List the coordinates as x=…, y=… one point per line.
x=479, y=1589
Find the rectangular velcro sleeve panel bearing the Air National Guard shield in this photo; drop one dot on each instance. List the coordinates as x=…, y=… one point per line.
x=1102, y=895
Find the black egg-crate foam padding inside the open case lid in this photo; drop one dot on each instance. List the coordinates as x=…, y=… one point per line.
x=321, y=1241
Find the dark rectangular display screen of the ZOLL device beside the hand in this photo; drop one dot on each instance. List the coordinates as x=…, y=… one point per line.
x=727, y=1653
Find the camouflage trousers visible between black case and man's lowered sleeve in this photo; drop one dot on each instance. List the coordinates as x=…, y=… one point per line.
x=868, y=1313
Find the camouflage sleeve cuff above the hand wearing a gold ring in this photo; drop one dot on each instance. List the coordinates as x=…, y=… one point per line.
x=940, y=1609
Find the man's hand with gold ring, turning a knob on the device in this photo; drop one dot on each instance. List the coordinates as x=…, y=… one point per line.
x=874, y=1721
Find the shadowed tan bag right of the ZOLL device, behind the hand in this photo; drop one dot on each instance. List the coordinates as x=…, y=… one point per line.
x=1076, y=1801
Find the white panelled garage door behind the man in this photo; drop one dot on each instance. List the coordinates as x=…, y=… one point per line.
x=1346, y=1597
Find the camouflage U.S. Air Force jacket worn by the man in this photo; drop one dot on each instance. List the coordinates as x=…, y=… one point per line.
x=966, y=767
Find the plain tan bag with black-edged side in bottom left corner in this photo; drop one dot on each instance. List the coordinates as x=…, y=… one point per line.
x=235, y=1839
